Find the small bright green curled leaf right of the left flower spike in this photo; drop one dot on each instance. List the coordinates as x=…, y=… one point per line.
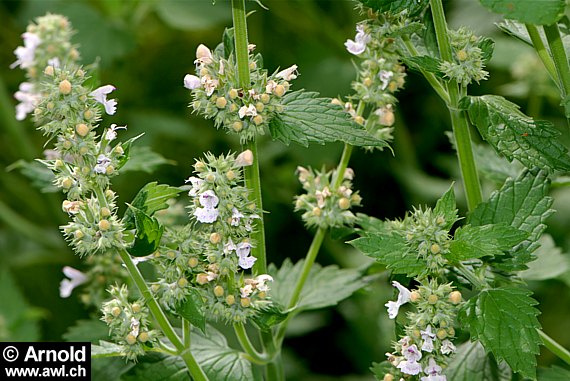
x=150, y=199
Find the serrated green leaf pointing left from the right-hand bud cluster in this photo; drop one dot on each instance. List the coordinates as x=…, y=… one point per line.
x=391, y=251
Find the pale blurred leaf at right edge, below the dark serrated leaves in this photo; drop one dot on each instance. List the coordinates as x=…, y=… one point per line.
x=550, y=262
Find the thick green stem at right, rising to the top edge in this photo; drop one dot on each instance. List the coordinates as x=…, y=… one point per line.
x=458, y=118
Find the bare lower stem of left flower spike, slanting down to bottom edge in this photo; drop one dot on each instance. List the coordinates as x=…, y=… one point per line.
x=193, y=367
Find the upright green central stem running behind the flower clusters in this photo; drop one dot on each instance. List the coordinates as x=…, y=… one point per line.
x=251, y=173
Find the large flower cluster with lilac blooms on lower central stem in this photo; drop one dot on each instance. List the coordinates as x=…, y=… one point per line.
x=210, y=255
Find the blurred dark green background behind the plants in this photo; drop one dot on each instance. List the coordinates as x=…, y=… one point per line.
x=145, y=48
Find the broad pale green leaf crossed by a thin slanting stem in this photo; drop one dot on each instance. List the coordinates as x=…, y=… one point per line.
x=325, y=286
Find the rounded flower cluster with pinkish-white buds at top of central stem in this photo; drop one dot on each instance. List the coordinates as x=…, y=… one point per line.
x=217, y=95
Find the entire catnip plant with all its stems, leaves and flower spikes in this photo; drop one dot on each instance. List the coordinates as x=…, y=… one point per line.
x=462, y=310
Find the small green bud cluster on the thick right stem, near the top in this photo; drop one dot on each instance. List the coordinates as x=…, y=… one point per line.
x=468, y=57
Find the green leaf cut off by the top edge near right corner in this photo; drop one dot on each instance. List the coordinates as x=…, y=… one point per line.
x=540, y=12
